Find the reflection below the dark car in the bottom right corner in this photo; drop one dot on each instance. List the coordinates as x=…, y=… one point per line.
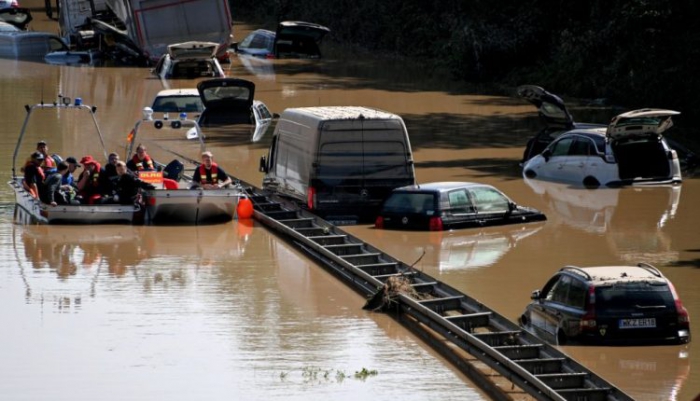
x=655, y=373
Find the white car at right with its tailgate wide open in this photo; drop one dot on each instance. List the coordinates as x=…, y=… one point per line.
x=630, y=151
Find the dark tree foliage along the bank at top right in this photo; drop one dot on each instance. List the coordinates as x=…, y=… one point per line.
x=635, y=52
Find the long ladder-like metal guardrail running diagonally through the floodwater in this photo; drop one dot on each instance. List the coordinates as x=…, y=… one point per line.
x=438, y=313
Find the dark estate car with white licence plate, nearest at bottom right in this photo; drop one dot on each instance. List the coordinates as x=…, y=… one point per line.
x=622, y=305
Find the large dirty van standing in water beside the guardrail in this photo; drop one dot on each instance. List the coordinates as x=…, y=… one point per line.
x=340, y=162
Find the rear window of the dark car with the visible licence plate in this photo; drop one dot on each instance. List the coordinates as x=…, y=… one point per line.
x=634, y=296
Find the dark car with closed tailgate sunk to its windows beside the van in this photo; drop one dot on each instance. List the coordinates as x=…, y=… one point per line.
x=447, y=205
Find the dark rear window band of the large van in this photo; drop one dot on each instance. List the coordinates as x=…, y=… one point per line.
x=376, y=156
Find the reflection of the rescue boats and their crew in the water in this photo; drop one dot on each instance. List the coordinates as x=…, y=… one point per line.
x=152, y=256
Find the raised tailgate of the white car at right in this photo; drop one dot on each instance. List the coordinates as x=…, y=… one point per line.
x=643, y=122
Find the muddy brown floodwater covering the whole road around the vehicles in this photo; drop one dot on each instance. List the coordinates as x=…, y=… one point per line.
x=230, y=310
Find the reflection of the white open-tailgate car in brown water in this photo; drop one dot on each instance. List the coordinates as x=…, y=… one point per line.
x=632, y=220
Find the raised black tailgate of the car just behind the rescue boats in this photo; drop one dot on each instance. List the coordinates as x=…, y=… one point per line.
x=226, y=94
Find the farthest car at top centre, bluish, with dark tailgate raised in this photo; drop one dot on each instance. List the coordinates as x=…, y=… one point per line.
x=293, y=39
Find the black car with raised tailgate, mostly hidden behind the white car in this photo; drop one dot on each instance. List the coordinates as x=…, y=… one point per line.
x=557, y=121
